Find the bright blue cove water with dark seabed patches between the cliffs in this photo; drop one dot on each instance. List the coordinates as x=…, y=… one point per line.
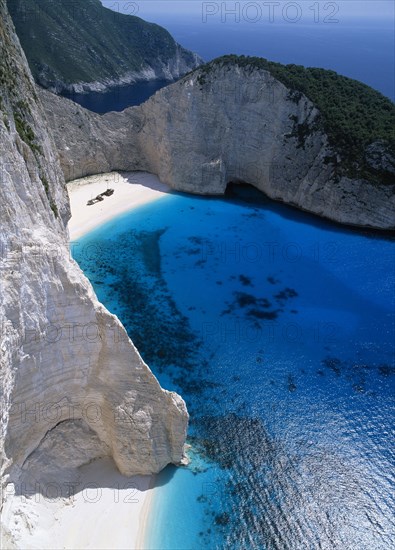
x=277, y=328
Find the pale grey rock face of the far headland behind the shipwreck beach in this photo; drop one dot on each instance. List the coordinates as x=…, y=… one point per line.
x=233, y=125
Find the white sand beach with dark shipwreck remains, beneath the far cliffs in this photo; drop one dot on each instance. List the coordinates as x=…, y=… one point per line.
x=131, y=189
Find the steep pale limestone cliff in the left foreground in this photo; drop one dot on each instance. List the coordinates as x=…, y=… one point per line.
x=66, y=363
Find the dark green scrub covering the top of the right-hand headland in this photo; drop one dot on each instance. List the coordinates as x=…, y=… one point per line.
x=353, y=114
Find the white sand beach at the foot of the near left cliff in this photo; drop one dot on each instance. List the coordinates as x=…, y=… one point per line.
x=108, y=511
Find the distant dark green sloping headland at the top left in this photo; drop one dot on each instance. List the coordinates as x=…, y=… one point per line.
x=73, y=41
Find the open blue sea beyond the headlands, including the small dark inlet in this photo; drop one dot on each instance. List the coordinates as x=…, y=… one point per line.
x=362, y=49
